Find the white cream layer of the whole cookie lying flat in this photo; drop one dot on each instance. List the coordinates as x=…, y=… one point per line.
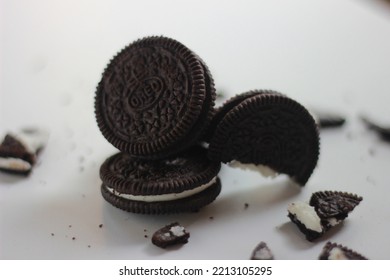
x=163, y=197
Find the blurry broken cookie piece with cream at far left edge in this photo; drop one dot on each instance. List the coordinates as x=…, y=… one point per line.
x=18, y=151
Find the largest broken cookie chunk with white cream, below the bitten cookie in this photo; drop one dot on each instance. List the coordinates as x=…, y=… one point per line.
x=325, y=210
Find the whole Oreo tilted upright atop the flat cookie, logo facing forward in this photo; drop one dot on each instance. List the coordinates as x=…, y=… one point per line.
x=155, y=98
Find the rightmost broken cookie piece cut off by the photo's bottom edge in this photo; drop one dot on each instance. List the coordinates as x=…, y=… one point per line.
x=334, y=251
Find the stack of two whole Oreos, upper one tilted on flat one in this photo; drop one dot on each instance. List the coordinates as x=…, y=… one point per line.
x=153, y=103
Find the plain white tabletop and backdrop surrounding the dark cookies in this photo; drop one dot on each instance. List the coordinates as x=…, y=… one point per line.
x=326, y=54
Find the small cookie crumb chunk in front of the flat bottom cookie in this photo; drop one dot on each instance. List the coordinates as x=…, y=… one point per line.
x=169, y=235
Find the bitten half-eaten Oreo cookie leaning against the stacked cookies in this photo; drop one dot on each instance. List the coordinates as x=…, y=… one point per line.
x=268, y=132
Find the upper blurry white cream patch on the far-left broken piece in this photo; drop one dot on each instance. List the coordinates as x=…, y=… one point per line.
x=33, y=139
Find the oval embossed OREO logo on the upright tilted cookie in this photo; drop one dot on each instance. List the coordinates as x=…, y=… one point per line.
x=146, y=93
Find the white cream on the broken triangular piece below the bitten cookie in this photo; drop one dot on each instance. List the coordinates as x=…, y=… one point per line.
x=306, y=214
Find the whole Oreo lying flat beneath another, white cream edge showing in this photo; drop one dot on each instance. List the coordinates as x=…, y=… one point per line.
x=183, y=183
